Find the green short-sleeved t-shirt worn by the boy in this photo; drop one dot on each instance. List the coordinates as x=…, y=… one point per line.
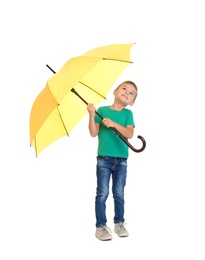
x=109, y=143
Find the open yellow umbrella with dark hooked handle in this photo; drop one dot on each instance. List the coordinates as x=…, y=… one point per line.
x=57, y=109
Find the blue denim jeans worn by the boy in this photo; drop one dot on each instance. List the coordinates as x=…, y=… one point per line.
x=107, y=167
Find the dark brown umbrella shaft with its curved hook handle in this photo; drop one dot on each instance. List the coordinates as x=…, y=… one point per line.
x=115, y=130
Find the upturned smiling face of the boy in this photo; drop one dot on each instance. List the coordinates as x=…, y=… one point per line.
x=126, y=93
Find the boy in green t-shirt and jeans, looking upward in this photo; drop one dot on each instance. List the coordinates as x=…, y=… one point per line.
x=112, y=154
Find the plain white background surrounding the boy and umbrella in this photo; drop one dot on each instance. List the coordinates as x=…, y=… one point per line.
x=47, y=203
